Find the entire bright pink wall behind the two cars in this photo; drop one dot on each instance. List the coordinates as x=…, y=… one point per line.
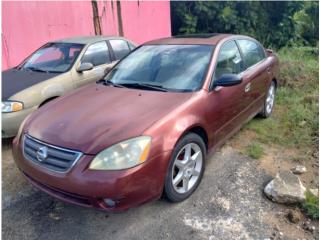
x=28, y=25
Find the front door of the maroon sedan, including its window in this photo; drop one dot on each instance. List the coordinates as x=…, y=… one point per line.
x=225, y=104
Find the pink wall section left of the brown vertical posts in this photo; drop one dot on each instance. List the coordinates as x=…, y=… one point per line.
x=28, y=25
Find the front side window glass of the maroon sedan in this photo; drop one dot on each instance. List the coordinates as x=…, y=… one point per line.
x=229, y=60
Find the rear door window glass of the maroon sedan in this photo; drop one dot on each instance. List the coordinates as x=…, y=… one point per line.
x=252, y=52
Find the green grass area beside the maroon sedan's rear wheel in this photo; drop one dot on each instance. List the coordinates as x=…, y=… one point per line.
x=294, y=122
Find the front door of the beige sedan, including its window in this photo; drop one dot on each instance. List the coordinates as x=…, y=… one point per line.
x=98, y=55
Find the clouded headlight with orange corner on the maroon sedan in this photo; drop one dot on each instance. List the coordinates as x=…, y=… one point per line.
x=123, y=155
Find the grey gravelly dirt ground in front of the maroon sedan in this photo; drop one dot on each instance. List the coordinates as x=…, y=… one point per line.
x=229, y=204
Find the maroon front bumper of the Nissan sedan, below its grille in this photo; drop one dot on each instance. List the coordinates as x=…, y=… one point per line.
x=107, y=190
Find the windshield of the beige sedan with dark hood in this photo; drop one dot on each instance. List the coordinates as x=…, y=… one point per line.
x=53, y=57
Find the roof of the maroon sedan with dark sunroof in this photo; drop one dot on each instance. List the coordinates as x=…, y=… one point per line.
x=205, y=39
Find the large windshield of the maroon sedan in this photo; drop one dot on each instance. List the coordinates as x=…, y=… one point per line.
x=163, y=67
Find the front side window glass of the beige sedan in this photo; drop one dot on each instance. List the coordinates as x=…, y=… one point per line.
x=97, y=54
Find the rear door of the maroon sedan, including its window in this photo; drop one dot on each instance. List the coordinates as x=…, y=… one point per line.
x=256, y=74
